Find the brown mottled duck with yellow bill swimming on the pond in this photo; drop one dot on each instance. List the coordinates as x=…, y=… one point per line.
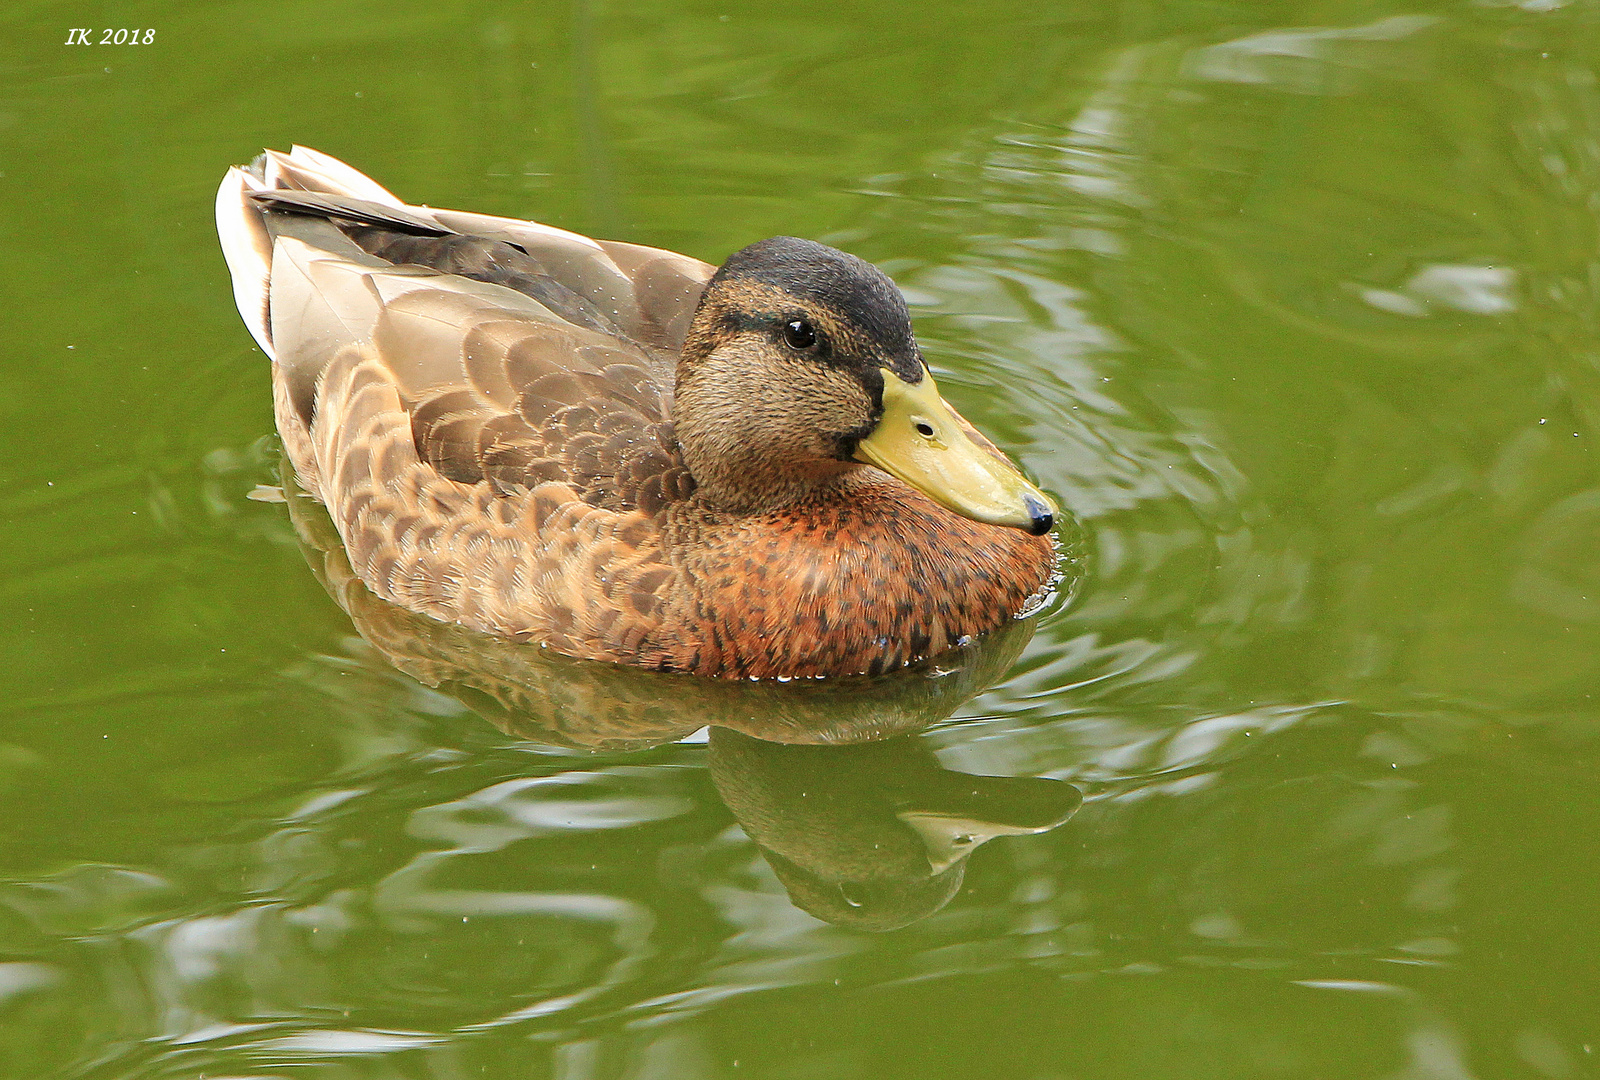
x=623, y=454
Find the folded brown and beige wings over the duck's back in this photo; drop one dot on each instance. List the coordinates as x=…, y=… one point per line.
x=574, y=388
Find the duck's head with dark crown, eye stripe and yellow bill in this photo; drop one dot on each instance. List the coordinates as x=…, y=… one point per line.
x=801, y=369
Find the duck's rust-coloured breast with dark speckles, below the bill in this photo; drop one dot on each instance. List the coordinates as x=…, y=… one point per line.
x=857, y=585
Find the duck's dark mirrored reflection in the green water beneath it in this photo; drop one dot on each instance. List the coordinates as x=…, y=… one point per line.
x=850, y=809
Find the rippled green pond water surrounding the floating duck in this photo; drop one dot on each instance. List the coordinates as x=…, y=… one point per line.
x=1294, y=305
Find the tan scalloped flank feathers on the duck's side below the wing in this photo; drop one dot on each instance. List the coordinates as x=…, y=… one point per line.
x=538, y=564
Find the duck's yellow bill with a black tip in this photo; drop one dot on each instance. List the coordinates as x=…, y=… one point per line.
x=922, y=442
